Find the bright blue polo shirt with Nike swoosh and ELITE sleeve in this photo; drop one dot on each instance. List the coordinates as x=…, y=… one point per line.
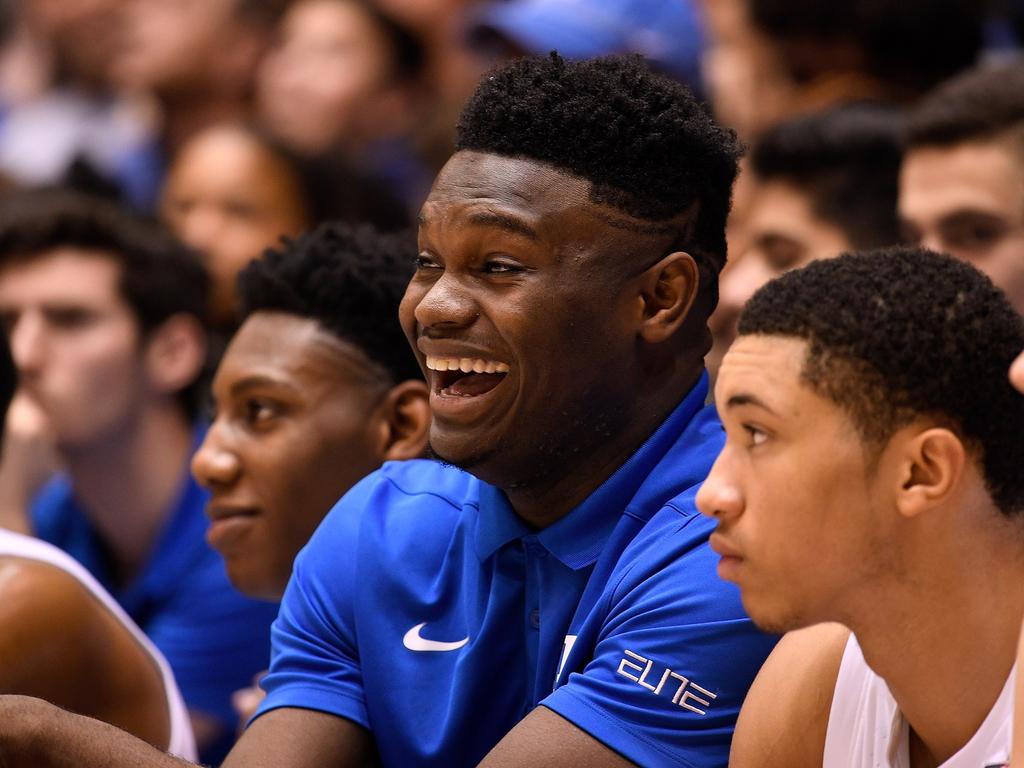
x=425, y=611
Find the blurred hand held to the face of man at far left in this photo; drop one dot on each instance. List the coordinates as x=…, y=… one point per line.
x=29, y=459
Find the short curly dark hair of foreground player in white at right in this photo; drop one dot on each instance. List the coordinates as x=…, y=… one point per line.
x=902, y=333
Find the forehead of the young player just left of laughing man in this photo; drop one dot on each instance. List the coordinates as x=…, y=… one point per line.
x=293, y=351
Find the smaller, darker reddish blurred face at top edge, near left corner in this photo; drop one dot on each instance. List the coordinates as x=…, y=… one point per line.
x=87, y=35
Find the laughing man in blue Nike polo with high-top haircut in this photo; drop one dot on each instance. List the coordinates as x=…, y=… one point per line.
x=546, y=596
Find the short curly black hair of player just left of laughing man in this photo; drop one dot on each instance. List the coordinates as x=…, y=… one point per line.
x=351, y=280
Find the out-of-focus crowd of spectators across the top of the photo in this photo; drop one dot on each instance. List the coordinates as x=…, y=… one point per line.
x=238, y=121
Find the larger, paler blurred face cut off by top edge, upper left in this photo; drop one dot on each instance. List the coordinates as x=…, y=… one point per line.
x=187, y=46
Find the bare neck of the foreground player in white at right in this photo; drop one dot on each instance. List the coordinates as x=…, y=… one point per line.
x=923, y=639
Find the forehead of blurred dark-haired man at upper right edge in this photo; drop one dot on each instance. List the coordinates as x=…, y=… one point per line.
x=975, y=176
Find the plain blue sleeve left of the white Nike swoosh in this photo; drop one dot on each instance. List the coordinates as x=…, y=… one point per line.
x=315, y=661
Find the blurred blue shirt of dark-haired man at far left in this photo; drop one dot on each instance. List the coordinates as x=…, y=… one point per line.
x=215, y=638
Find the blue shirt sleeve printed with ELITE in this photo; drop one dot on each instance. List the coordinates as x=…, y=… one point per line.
x=673, y=661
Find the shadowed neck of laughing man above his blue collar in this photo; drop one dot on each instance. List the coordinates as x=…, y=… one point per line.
x=582, y=472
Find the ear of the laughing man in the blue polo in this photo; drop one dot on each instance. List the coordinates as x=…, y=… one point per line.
x=667, y=293
